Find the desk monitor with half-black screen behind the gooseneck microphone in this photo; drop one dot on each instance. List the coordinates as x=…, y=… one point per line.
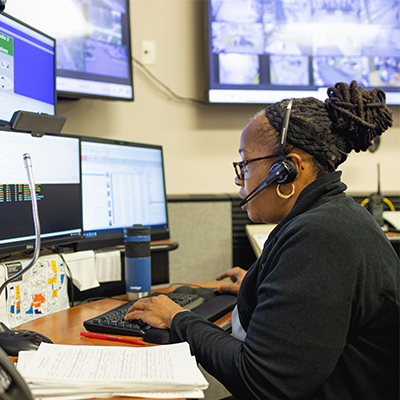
x=56, y=171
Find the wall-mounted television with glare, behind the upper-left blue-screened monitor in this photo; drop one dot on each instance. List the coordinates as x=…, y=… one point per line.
x=93, y=44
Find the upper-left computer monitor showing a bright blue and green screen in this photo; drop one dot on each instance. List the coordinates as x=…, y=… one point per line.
x=27, y=69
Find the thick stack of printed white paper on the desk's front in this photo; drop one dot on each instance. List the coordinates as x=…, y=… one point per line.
x=77, y=372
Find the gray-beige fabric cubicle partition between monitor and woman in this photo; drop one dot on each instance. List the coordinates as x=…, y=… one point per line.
x=202, y=225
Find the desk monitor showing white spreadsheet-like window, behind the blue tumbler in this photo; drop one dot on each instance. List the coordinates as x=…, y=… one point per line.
x=122, y=184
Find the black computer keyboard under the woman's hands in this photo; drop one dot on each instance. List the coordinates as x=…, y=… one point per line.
x=113, y=321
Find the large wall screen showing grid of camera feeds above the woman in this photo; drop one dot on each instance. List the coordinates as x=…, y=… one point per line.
x=264, y=50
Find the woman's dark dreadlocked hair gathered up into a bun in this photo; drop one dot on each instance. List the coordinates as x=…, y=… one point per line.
x=349, y=120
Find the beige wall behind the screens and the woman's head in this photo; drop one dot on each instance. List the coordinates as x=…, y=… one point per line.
x=200, y=142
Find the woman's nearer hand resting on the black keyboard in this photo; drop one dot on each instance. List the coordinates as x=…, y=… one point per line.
x=157, y=311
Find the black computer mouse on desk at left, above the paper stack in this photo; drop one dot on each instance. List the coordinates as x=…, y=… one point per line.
x=13, y=341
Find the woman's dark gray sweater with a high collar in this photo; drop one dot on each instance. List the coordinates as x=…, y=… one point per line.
x=320, y=309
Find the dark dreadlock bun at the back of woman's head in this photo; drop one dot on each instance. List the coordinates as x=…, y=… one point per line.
x=358, y=115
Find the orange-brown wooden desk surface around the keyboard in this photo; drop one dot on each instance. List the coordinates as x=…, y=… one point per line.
x=64, y=327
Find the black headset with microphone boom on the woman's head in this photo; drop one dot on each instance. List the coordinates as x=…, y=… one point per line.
x=281, y=171
